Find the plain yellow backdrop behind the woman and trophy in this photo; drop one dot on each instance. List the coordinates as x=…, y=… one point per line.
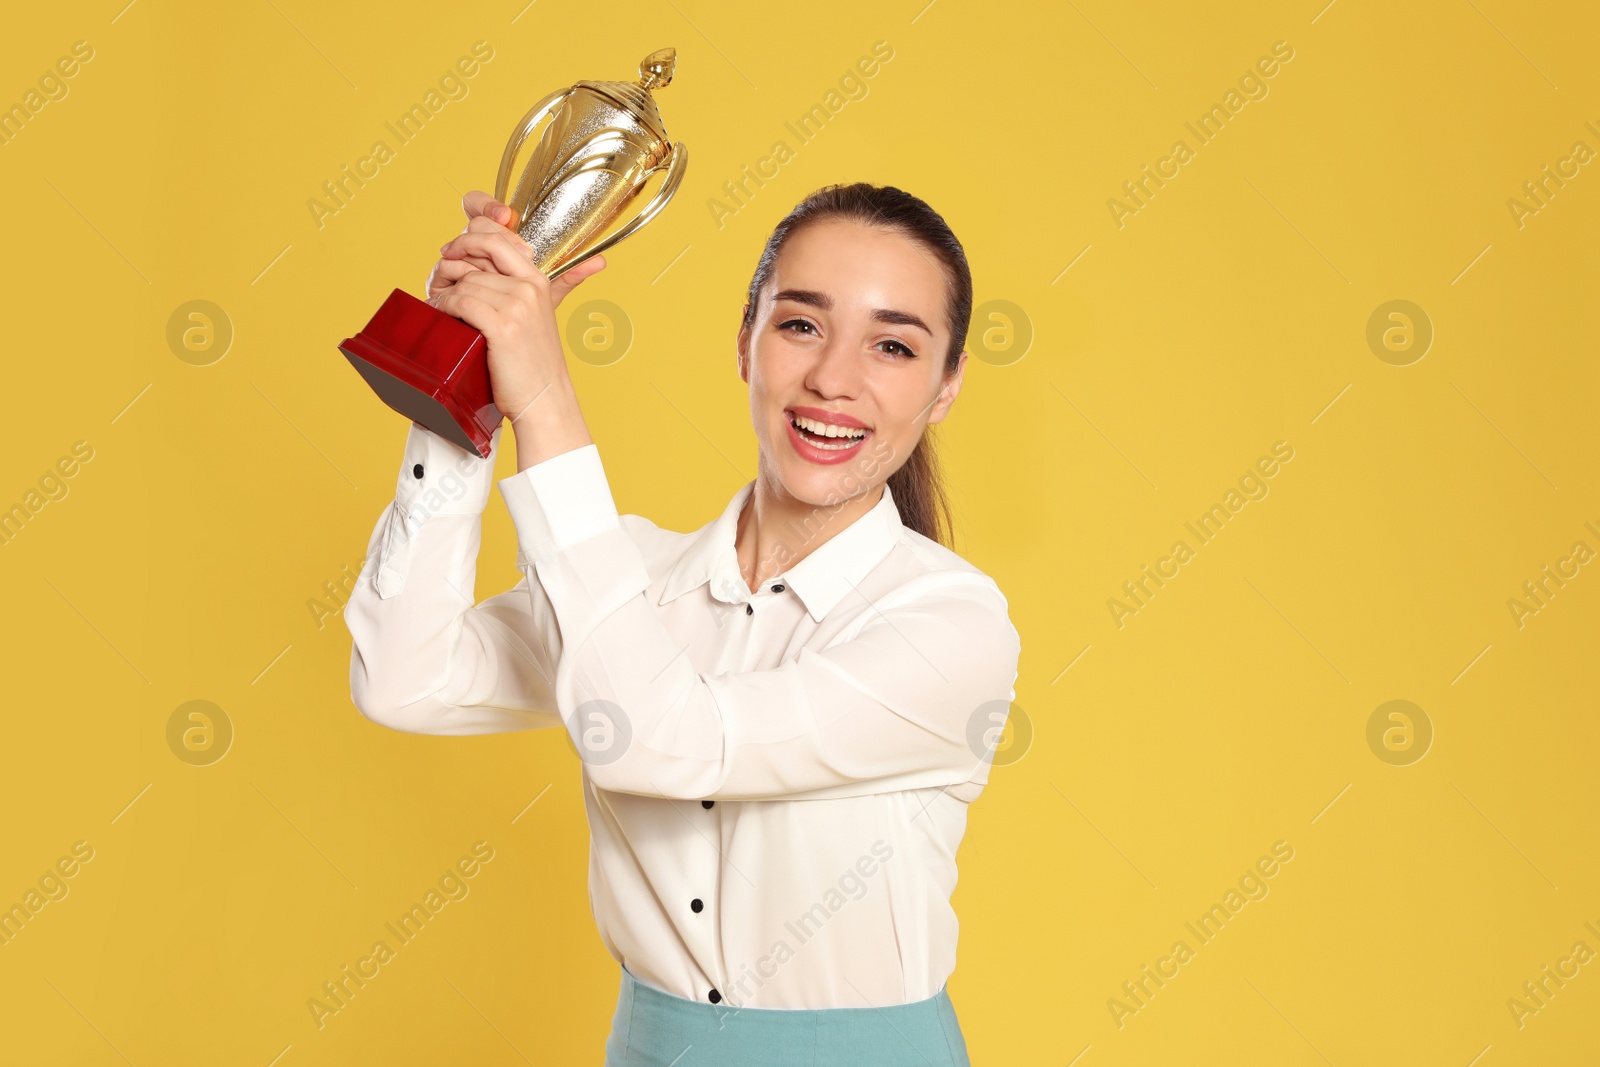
x=1228, y=314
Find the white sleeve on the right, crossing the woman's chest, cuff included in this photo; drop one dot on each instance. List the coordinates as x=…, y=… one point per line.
x=910, y=697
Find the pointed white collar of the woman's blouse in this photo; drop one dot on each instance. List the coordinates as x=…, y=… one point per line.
x=822, y=580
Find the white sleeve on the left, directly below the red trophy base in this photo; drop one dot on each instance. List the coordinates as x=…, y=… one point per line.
x=425, y=658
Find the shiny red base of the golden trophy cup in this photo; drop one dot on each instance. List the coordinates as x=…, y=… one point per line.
x=431, y=369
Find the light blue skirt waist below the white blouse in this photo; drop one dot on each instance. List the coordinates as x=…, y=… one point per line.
x=654, y=1028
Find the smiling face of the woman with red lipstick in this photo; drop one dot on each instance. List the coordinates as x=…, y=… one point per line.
x=850, y=332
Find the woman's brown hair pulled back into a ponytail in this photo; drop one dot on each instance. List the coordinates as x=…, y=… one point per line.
x=918, y=486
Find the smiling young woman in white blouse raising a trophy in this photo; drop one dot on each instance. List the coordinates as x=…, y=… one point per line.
x=783, y=716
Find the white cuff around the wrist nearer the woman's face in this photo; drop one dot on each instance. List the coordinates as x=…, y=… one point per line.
x=559, y=503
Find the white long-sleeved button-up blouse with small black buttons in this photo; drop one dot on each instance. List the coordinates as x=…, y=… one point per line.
x=777, y=783
